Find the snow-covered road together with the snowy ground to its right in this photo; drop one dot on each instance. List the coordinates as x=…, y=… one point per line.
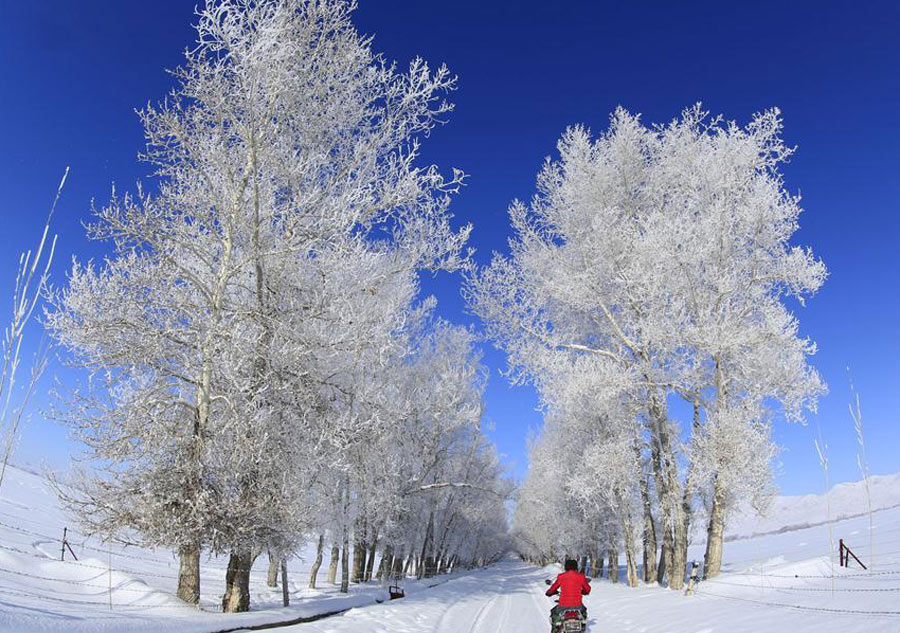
x=776, y=583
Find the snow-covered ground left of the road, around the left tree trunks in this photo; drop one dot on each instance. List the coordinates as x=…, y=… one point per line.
x=119, y=589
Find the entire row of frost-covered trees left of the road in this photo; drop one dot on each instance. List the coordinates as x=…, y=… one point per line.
x=260, y=369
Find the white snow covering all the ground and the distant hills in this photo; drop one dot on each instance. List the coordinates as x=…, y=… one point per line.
x=778, y=582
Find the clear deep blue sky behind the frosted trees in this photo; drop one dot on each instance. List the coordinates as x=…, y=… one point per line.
x=71, y=74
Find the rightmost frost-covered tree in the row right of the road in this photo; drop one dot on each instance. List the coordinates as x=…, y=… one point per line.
x=730, y=285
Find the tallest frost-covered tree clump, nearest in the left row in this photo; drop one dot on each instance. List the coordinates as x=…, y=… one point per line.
x=242, y=292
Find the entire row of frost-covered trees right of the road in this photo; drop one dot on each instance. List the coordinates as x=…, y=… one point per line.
x=647, y=296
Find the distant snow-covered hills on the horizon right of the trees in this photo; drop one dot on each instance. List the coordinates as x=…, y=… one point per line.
x=793, y=512
